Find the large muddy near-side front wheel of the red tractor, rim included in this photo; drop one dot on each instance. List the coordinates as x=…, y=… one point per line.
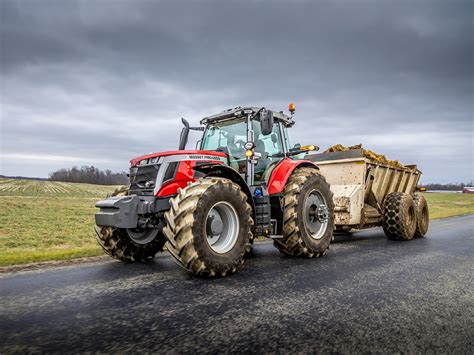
x=209, y=227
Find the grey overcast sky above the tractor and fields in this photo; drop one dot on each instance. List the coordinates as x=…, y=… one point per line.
x=99, y=82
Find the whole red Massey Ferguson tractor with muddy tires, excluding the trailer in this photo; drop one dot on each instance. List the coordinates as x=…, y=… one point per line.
x=207, y=206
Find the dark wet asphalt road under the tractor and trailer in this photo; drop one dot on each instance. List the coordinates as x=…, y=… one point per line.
x=366, y=294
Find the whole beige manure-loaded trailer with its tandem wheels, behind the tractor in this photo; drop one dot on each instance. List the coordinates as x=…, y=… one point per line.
x=366, y=193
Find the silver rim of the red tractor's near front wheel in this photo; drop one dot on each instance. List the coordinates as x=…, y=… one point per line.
x=222, y=227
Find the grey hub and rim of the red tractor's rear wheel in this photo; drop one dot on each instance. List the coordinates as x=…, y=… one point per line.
x=316, y=214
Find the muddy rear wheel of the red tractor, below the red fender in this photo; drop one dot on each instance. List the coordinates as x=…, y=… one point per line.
x=308, y=216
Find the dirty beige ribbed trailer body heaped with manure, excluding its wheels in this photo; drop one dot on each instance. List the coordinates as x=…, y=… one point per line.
x=360, y=186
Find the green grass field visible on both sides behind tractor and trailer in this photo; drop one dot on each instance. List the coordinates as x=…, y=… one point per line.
x=43, y=220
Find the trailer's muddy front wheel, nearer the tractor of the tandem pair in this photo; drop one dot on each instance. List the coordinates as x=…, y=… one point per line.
x=399, y=216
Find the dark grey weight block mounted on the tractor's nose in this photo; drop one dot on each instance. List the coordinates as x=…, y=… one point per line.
x=124, y=211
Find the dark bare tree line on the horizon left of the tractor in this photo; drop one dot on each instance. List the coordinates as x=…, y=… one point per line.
x=89, y=175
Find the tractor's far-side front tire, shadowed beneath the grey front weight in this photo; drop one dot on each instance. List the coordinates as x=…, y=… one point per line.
x=117, y=242
